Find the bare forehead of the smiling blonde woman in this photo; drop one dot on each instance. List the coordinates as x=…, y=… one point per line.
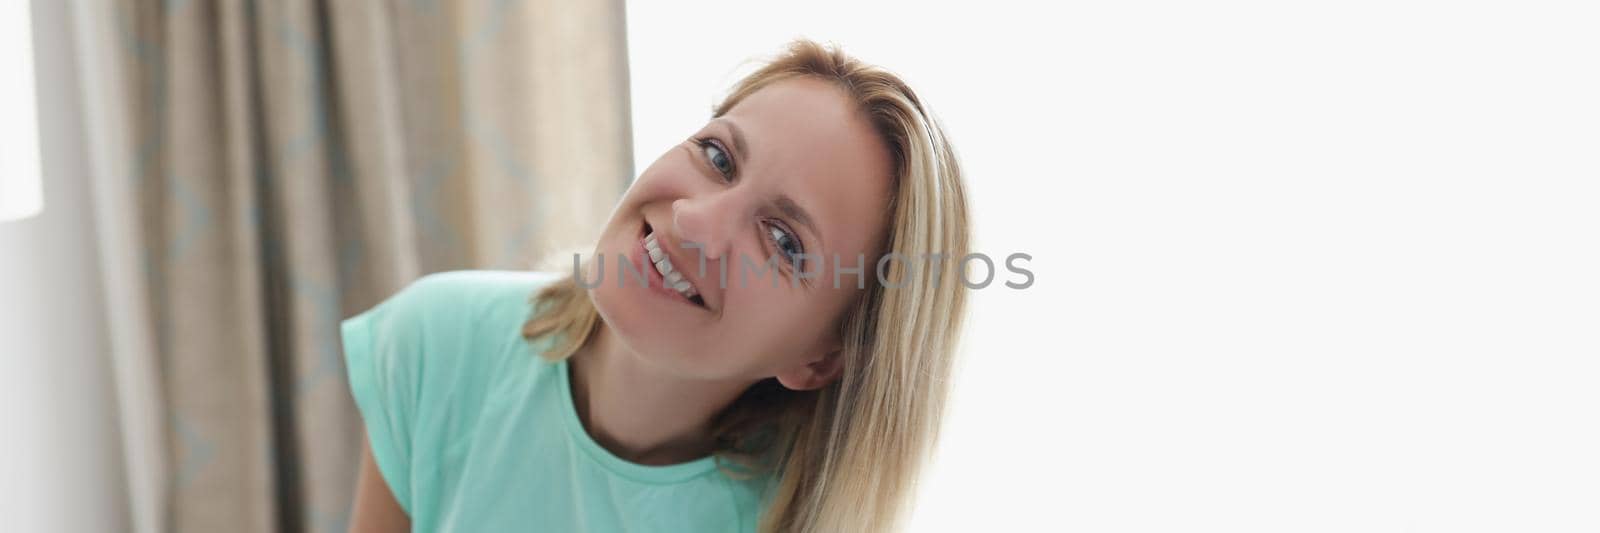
x=809, y=140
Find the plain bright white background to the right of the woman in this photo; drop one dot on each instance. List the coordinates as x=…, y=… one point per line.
x=1300, y=266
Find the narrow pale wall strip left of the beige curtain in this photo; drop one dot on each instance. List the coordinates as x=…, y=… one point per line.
x=60, y=447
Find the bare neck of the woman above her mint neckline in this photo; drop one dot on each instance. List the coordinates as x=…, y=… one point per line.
x=639, y=411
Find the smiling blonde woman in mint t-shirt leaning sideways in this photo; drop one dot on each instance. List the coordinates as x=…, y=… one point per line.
x=761, y=340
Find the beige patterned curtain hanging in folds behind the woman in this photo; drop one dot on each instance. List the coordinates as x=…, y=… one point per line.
x=266, y=169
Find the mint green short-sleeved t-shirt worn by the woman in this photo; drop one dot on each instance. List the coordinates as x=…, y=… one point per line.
x=476, y=433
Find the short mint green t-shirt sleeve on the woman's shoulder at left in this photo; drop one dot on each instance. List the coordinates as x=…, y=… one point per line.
x=383, y=353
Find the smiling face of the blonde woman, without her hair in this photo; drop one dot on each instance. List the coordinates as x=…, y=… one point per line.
x=790, y=175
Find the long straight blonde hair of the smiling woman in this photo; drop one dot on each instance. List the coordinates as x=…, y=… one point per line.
x=849, y=455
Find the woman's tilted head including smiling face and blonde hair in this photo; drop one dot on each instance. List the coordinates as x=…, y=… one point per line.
x=828, y=166
